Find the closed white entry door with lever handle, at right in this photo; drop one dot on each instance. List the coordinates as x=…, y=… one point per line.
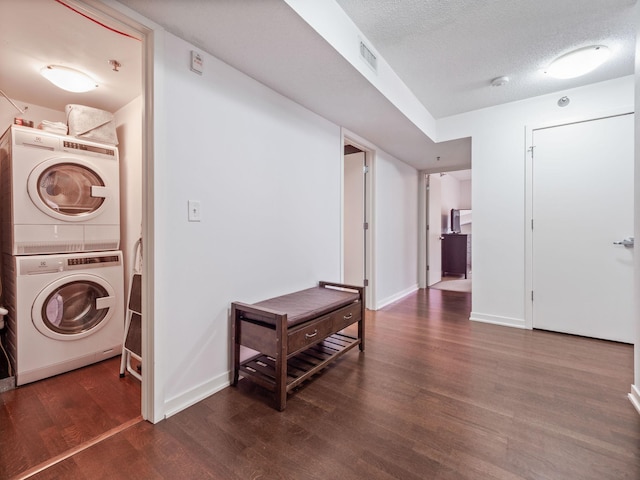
x=582, y=204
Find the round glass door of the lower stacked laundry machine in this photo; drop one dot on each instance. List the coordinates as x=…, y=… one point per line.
x=74, y=307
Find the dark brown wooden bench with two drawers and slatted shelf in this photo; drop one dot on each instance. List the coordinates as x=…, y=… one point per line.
x=294, y=336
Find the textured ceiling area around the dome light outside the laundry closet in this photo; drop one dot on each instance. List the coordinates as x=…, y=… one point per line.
x=448, y=52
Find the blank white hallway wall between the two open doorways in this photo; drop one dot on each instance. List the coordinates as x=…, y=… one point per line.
x=396, y=229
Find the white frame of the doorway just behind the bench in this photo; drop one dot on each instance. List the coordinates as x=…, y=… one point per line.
x=350, y=138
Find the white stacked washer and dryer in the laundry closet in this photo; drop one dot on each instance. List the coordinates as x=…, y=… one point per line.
x=63, y=278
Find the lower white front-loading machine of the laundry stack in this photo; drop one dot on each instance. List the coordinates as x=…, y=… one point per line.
x=65, y=311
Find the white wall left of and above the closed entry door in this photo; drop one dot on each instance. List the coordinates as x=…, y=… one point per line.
x=498, y=197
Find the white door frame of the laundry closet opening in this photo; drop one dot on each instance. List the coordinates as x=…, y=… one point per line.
x=150, y=404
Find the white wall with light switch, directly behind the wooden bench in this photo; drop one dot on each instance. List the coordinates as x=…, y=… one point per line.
x=267, y=173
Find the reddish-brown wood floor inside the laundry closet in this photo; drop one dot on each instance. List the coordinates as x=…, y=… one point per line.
x=44, y=419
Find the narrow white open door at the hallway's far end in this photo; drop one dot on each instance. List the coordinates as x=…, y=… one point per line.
x=434, y=230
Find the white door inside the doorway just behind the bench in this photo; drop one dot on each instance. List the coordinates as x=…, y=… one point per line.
x=354, y=219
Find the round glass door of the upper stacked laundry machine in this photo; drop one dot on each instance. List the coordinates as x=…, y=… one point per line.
x=68, y=189
